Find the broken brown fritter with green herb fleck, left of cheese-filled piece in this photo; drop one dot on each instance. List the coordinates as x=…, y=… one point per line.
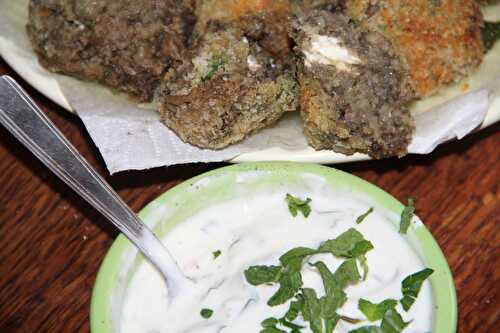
x=231, y=88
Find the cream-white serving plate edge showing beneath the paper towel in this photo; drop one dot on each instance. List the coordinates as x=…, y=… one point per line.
x=45, y=82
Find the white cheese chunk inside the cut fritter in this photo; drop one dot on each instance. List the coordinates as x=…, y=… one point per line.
x=326, y=50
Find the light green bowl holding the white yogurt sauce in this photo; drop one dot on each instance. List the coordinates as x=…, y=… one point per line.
x=224, y=184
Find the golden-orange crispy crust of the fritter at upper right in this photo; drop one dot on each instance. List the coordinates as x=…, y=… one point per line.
x=439, y=40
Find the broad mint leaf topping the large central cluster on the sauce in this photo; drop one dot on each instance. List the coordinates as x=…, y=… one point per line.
x=350, y=244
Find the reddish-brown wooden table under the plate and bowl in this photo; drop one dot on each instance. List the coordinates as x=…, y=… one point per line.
x=52, y=243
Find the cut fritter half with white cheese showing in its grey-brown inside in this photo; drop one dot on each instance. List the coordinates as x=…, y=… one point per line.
x=354, y=91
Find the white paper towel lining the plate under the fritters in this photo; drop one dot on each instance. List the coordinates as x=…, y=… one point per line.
x=130, y=137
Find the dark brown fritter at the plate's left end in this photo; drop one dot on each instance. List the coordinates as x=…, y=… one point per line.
x=127, y=45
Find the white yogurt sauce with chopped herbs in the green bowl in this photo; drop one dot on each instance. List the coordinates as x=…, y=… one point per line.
x=256, y=231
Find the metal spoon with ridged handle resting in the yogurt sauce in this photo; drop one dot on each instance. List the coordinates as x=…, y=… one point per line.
x=20, y=115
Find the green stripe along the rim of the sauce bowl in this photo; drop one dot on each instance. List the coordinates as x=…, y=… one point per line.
x=444, y=294
